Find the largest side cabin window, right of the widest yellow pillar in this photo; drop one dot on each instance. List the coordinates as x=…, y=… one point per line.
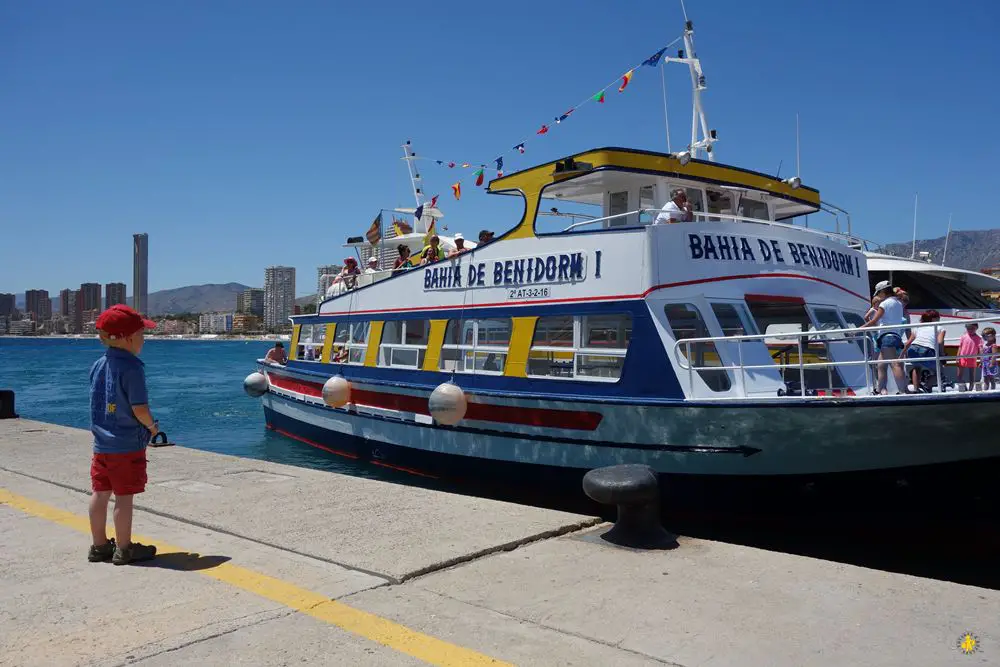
x=585, y=347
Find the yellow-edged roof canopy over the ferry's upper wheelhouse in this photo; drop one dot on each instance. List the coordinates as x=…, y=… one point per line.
x=586, y=178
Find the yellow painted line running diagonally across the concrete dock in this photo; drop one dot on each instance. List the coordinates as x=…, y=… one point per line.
x=370, y=626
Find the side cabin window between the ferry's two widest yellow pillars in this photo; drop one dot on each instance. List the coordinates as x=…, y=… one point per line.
x=476, y=346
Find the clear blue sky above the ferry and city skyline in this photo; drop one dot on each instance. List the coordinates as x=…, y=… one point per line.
x=240, y=134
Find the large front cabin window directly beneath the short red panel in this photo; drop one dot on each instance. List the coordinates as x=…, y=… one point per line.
x=777, y=315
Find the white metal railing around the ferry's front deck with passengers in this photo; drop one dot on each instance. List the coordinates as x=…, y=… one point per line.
x=800, y=367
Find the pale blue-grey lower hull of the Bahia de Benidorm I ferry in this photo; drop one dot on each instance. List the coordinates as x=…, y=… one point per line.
x=771, y=439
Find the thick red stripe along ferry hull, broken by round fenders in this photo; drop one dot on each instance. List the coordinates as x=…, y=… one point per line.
x=507, y=414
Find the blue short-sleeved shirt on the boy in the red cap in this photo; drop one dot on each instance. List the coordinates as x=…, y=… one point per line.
x=117, y=382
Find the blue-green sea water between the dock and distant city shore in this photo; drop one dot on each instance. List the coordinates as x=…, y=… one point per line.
x=195, y=392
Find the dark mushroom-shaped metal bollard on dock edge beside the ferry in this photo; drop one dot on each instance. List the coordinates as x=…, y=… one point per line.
x=635, y=490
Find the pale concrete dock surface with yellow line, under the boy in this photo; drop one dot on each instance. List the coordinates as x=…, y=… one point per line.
x=267, y=564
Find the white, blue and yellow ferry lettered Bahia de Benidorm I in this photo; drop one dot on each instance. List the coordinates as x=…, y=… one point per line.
x=719, y=347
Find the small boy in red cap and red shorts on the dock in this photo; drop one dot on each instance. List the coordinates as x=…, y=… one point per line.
x=122, y=427
